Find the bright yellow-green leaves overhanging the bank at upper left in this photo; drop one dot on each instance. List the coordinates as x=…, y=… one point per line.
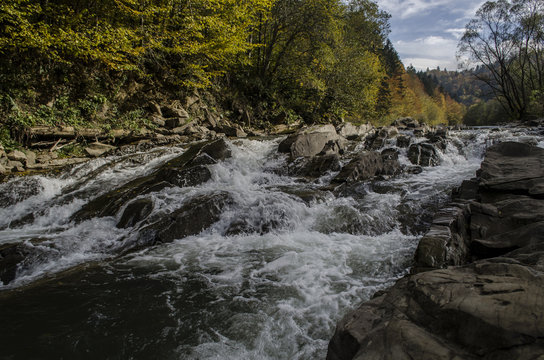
x=206, y=36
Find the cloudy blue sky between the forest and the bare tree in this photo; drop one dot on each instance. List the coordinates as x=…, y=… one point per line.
x=425, y=33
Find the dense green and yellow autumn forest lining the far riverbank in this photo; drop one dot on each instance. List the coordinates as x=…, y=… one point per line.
x=101, y=63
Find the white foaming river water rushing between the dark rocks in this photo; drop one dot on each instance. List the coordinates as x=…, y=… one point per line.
x=275, y=292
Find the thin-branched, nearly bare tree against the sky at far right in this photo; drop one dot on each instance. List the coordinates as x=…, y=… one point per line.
x=507, y=38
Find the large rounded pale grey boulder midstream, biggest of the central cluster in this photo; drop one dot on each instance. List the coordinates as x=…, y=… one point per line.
x=310, y=142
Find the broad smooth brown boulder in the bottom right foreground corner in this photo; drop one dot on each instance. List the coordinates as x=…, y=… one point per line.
x=491, y=309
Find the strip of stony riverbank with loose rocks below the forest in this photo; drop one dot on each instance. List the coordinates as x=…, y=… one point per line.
x=46, y=146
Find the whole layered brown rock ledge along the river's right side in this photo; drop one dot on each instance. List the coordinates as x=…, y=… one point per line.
x=476, y=290
